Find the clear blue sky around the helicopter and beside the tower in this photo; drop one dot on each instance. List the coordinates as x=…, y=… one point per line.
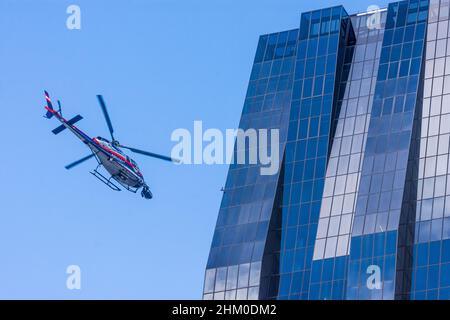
x=160, y=64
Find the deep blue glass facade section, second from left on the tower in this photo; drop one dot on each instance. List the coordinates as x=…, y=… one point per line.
x=324, y=35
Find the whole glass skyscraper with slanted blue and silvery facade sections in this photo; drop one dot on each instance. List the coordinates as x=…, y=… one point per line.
x=360, y=206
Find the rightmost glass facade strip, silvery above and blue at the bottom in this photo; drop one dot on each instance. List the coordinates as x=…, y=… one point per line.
x=431, y=268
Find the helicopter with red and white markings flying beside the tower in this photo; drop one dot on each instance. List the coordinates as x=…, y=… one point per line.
x=121, y=168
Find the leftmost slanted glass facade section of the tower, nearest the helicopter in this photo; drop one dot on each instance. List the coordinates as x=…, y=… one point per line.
x=234, y=269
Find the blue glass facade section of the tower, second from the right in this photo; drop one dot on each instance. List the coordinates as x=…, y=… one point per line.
x=384, y=206
